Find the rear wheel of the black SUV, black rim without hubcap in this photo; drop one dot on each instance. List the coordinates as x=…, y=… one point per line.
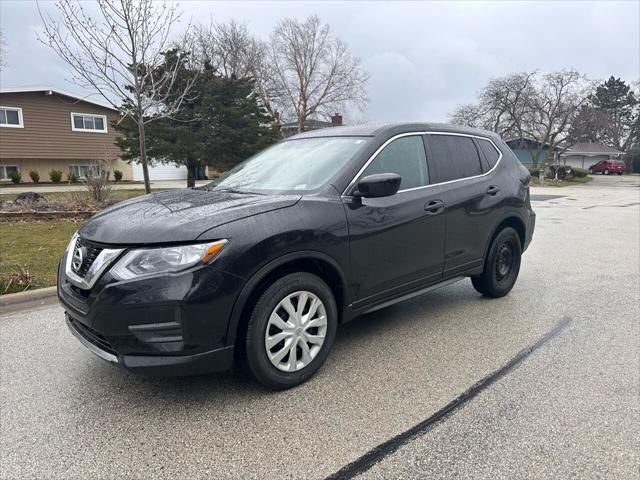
x=501, y=266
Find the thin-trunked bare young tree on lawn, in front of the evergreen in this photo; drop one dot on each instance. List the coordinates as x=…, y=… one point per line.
x=119, y=54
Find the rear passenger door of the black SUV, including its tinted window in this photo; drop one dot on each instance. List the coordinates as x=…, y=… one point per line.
x=468, y=186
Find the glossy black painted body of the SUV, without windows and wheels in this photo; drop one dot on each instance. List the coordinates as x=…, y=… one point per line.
x=370, y=251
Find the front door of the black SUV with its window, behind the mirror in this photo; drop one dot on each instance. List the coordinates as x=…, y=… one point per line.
x=396, y=242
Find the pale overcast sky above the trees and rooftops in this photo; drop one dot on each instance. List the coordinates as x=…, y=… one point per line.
x=424, y=58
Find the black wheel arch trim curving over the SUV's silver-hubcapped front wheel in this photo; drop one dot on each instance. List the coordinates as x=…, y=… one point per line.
x=262, y=273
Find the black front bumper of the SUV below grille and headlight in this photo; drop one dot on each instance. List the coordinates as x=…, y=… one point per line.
x=166, y=325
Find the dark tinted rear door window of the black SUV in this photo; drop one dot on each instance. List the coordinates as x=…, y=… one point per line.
x=453, y=157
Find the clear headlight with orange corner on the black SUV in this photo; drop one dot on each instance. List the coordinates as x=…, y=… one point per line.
x=152, y=261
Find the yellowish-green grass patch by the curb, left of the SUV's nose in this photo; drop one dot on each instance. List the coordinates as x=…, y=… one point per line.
x=35, y=247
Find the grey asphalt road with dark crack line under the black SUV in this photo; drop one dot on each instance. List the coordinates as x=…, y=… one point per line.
x=544, y=383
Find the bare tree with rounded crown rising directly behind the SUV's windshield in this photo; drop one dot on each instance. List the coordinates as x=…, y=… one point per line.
x=312, y=71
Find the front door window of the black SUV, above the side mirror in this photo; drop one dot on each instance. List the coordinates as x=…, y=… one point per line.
x=404, y=156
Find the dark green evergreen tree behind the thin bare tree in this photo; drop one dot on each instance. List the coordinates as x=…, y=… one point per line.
x=219, y=125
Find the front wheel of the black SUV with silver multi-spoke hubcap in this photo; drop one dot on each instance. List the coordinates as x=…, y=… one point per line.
x=271, y=322
